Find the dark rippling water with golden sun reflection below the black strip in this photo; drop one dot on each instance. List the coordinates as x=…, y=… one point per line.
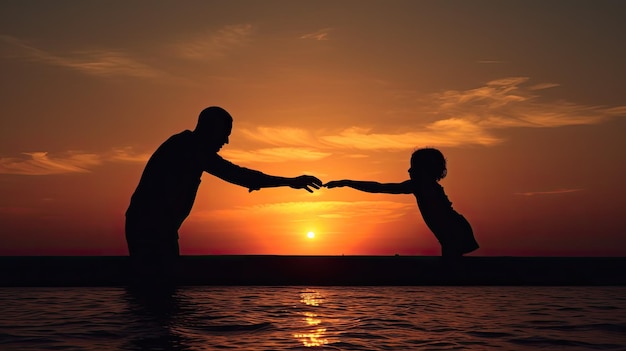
x=301, y=317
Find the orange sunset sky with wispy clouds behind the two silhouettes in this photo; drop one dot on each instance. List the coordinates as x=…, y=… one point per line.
x=526, y=99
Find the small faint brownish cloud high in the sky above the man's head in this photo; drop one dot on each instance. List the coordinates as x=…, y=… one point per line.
x=215, y=44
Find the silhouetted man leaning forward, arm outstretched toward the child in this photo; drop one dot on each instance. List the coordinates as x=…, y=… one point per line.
x=170, y=180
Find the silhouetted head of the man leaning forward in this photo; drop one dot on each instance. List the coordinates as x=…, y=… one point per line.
x=213, y=128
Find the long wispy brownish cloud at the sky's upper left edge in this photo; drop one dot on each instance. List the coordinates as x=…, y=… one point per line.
x=93, y=62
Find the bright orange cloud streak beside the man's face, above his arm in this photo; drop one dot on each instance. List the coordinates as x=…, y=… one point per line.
x=278, y=154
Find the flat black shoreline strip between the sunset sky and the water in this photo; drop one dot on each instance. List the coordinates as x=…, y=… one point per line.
x=276, y=270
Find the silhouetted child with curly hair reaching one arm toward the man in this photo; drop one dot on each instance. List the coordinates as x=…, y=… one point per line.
x=428, y=166
